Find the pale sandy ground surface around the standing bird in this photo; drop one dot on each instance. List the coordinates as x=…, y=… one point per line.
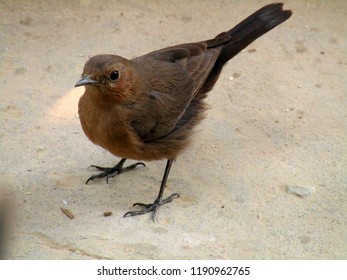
x=277, y=118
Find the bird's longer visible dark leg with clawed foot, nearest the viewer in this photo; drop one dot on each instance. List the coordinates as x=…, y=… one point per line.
x=159, y=201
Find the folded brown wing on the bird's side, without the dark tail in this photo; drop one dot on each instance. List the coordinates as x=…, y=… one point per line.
x=173, y=76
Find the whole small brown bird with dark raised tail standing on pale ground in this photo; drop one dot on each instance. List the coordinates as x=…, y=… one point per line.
x=146, y=108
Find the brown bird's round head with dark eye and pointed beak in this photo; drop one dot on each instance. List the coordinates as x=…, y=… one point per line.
x=110, y=75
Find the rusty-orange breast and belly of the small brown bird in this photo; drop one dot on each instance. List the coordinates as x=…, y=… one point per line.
x=109, y=126
